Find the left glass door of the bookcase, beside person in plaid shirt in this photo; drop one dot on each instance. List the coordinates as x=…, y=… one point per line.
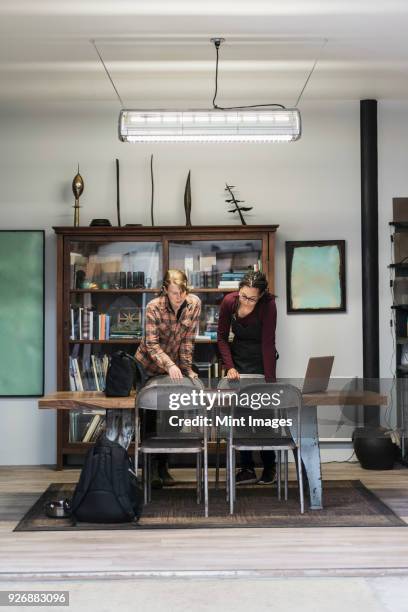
x=110, y=285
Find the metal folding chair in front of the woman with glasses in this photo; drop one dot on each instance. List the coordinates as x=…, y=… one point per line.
x=290, y=403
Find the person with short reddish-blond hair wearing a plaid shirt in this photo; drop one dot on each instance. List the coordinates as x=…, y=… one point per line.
x=168, y=344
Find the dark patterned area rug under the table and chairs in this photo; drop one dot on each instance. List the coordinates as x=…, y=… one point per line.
x=347, y=503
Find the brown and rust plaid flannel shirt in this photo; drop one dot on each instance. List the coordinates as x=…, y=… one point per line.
x=167, y=341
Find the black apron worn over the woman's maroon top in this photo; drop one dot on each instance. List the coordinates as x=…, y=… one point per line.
x=246, y=347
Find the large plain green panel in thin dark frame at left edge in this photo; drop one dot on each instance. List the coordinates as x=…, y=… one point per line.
x=21, y=313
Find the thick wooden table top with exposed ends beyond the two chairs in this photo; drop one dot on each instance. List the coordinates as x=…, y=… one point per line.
x=76, y=400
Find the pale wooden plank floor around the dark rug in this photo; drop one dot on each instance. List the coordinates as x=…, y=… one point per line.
x=277, y=551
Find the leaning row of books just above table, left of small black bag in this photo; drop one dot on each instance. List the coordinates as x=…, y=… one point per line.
x=87, y=375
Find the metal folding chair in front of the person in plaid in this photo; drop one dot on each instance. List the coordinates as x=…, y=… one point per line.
x=155, y=395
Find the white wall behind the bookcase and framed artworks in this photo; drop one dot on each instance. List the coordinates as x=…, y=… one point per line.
x=310, y=188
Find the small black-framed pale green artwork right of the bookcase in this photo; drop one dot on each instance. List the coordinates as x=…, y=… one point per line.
x=315, y=276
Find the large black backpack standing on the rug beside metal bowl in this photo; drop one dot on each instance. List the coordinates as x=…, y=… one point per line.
x=107, y=491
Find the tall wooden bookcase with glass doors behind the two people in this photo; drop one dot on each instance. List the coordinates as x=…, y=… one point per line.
x=115, y=271
